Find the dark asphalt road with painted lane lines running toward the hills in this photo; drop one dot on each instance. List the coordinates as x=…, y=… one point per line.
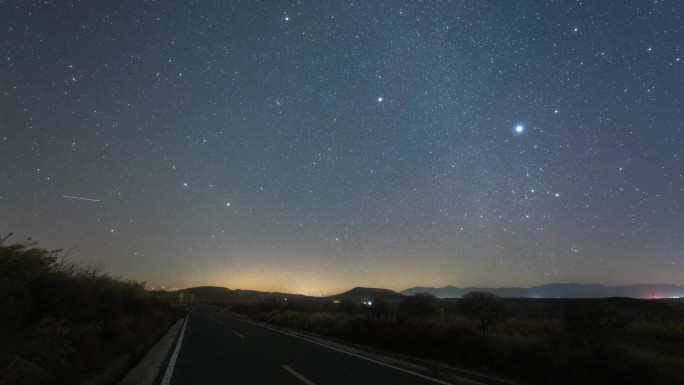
x=216, y=349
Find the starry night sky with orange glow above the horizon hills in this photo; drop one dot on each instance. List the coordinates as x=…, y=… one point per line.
x=314, y=146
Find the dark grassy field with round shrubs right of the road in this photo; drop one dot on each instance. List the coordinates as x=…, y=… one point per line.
x=534, y=341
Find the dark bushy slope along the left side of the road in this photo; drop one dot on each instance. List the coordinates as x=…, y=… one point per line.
x=62, y=322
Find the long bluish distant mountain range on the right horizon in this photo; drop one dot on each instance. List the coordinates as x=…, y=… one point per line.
x=560, y=290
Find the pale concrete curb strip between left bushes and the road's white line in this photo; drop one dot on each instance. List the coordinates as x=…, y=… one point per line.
x=146, y=371
